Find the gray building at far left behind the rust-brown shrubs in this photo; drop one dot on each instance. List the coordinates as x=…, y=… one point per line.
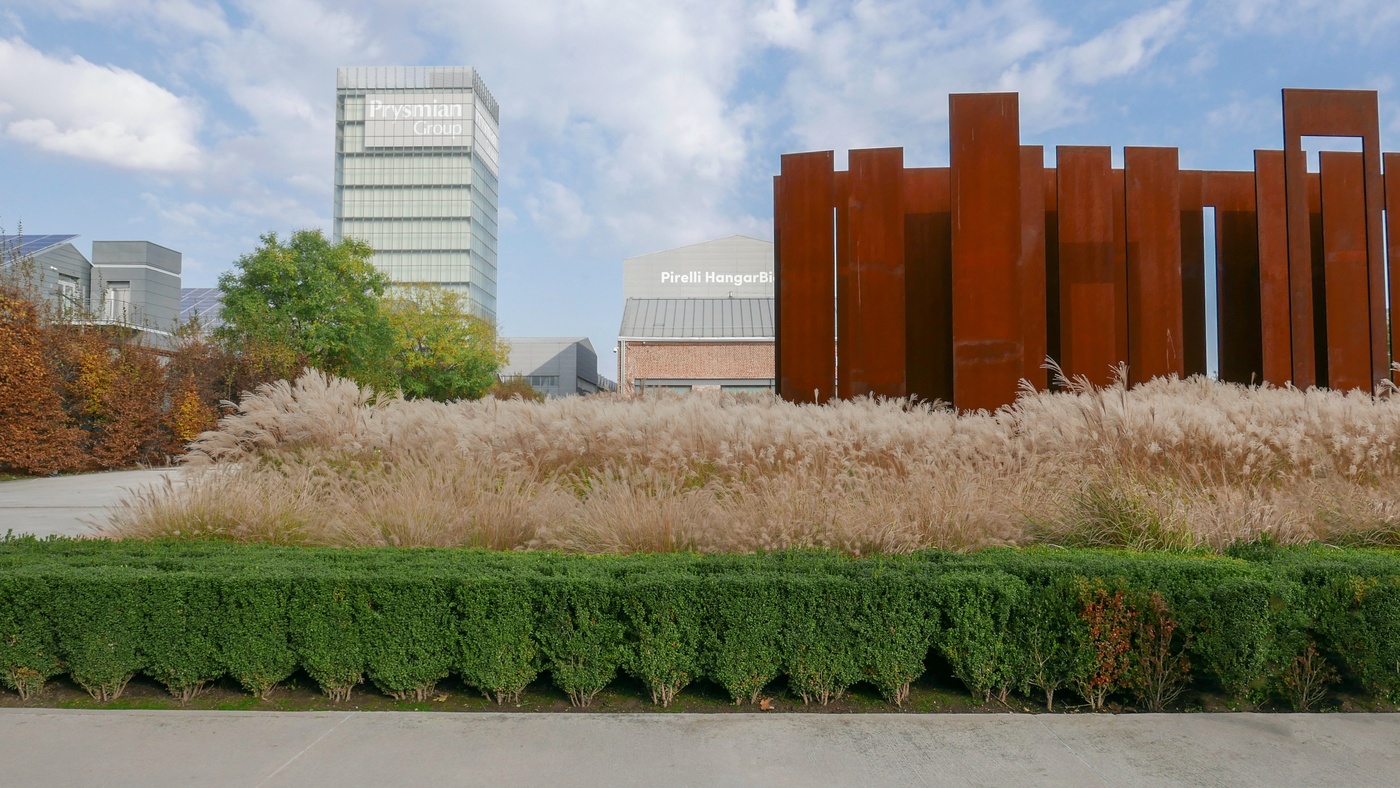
x=128, y=285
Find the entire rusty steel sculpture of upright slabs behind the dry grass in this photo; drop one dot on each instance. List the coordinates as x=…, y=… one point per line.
x=955, y=283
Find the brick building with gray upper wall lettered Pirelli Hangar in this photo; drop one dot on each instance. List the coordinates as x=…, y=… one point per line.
x=699, y=317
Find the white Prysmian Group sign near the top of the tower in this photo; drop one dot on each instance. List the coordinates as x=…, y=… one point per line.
x=429, y=120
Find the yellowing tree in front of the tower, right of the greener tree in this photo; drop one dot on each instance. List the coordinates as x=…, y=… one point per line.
x=442, y=351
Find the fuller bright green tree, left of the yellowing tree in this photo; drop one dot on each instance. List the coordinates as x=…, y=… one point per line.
x=311, y=302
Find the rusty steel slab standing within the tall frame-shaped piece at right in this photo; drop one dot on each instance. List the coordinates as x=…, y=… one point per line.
x=1345, y=250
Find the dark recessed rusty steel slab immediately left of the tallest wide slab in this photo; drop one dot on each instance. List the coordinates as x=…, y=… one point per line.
x=929, y=288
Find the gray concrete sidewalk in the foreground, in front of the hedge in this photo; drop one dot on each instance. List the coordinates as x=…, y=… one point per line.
x=338, y=750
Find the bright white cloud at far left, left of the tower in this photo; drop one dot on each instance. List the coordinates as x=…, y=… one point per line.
x=96, y=113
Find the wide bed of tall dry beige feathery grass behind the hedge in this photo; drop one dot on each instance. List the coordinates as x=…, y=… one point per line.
x=1167, y=465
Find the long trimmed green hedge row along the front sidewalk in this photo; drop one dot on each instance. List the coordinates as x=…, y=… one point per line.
x=1262, y=624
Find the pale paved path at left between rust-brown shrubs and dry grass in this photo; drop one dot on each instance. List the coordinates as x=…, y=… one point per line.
x=68, y=505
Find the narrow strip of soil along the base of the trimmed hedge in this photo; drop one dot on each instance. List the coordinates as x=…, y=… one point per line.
x=625, y=696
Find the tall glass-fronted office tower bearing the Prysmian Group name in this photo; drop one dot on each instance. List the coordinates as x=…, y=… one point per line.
x=418, y=176
